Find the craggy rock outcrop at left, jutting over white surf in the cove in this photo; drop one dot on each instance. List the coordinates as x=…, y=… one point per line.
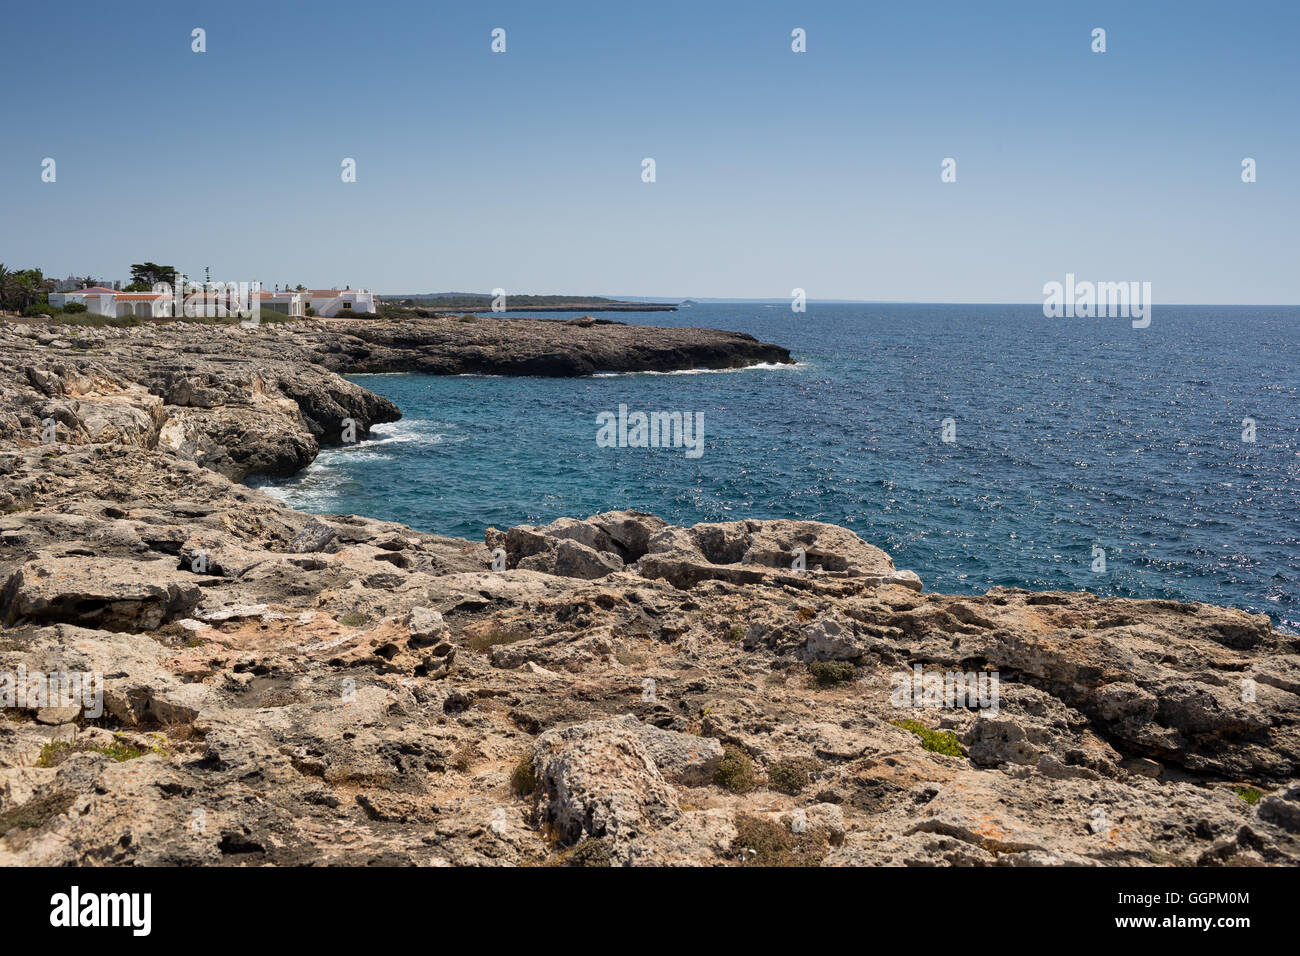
x=227, y=399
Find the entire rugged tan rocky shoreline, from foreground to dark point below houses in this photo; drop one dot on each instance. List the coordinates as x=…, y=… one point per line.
x=285, y=689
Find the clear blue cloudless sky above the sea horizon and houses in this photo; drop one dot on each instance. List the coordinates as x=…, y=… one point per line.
x=774, y=170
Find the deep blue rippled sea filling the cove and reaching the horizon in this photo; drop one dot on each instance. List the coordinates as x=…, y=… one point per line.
x=1072, y=435
